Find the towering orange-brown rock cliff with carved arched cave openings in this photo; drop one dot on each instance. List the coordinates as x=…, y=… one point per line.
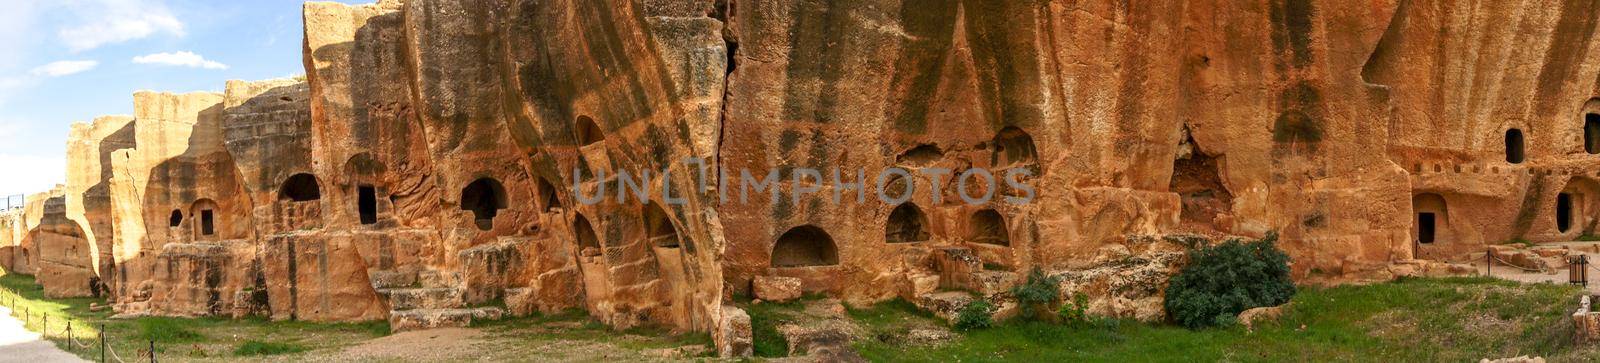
x=444, y=156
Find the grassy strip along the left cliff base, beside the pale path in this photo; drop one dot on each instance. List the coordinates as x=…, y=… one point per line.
x=562, y=337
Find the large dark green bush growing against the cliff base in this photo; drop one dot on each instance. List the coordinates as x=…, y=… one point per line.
x=1228, y=279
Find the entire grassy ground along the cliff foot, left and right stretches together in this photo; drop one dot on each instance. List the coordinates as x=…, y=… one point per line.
x=1409, y=321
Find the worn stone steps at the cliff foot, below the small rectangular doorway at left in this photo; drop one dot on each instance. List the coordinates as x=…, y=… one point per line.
x=425, y=300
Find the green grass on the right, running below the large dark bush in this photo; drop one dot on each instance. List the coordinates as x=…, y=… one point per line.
x=1409, y=321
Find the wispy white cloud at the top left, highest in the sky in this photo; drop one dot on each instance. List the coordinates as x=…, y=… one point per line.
x=116, y=22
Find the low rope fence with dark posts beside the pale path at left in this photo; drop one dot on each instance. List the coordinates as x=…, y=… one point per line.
x=68, y=337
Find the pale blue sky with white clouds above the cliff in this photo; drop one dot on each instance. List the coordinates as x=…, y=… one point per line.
x=65, y=62
